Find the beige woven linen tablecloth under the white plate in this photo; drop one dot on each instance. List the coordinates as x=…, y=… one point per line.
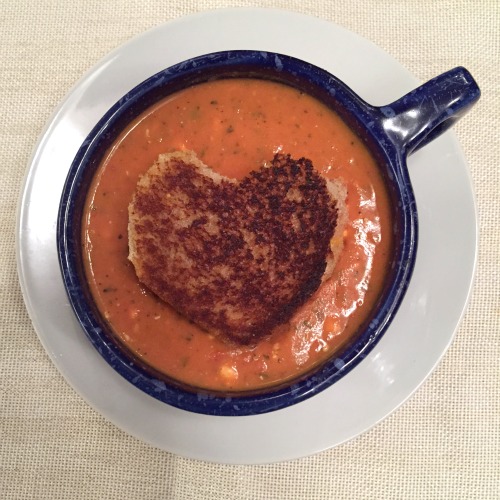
x=444, y=443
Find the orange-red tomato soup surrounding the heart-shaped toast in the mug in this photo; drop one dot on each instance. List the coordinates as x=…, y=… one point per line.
x=234, y=126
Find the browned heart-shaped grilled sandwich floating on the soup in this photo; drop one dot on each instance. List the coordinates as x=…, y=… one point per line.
x=235, y=257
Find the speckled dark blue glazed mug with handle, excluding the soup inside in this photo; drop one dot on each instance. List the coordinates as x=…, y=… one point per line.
x=391, y=132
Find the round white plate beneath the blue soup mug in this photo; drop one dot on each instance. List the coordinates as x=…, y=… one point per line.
x=411, y=348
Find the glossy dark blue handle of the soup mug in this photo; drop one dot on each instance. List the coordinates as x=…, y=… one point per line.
x=426, y=112
